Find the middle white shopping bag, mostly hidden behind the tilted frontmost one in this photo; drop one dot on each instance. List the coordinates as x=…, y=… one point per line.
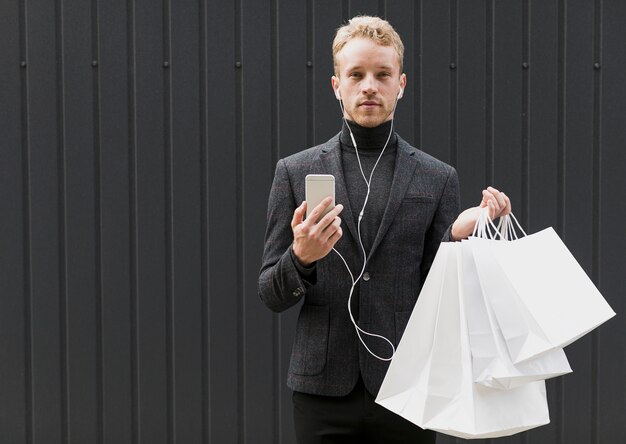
x=491, y=362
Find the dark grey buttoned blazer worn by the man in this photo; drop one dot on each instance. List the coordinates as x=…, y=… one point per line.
x=423, y=202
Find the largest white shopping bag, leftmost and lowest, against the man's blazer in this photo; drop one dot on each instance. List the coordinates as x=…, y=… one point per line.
x=430, y=382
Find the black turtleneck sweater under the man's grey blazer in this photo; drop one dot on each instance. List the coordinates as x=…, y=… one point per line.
x=370, y=142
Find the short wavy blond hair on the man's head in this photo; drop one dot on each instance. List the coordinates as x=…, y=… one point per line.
x=373, y=28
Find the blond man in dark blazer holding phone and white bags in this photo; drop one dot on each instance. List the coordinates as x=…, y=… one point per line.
x=394, y=202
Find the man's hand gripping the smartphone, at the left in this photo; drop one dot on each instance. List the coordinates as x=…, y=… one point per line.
x=315, y=236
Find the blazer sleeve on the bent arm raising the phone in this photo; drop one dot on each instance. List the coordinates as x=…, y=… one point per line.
x=281, y=284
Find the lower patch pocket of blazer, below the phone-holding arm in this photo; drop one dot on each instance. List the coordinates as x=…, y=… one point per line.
x=308, y=357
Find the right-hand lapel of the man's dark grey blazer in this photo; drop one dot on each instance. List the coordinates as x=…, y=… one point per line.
x=406, y=162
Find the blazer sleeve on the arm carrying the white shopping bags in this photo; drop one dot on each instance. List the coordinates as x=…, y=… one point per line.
x=441, y=226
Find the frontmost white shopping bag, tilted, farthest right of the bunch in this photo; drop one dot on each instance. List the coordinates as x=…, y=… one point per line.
x=541, y=297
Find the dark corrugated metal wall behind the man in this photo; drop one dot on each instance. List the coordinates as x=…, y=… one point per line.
x=138, y=142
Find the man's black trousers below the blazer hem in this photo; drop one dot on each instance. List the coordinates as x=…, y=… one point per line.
x=352, y=419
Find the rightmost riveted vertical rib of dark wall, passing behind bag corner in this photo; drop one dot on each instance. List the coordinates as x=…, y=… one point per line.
x=597, y=207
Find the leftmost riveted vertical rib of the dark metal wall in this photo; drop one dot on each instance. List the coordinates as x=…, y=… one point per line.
x=27, y=223
